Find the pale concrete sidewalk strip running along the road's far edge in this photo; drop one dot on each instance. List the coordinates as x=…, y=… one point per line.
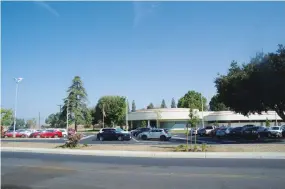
x=204, y=155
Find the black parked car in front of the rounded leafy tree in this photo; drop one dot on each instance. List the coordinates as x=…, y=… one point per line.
x=113, y=134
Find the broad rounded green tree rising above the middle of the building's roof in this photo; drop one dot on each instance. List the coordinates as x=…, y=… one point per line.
x=192, y=99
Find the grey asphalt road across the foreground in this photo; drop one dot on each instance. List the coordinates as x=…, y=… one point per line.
x=42, y=171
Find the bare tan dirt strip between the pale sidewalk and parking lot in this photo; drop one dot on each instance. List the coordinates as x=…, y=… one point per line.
x=211, y=148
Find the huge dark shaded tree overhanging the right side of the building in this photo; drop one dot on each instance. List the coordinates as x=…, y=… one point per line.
x=257, y=86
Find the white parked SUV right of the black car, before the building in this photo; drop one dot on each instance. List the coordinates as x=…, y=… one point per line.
x=161, y=134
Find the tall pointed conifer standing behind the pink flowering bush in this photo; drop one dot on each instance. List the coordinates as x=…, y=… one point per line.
x=76, y=102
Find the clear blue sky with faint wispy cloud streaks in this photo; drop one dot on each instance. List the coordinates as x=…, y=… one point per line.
x=144, y=50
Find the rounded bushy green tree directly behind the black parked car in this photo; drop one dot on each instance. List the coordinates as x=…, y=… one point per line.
x=114, y=108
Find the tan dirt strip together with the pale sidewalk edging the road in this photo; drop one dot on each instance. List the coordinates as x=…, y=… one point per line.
x=270, y=151
